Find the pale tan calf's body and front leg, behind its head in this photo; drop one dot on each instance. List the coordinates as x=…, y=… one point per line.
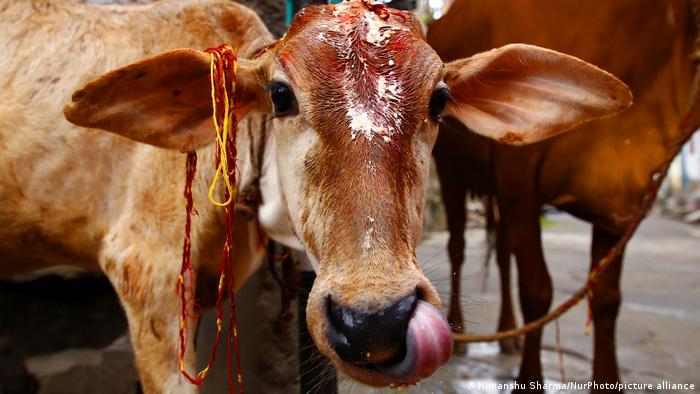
x=73, y=196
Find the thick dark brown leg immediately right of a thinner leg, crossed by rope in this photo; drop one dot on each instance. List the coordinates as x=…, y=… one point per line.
x=534, y=282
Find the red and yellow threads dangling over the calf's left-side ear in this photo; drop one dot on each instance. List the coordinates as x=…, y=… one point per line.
x=223, y=86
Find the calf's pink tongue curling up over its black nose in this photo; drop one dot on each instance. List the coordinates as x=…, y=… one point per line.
x=428, y=346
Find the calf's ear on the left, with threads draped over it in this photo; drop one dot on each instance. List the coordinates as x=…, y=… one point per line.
x=164, y=100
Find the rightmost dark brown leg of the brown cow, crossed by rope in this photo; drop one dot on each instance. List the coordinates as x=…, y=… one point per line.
x=605, y=305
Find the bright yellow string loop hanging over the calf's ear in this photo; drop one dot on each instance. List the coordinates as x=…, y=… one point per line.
x=222, y=134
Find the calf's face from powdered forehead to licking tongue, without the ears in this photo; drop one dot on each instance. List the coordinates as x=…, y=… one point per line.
x=353, y=148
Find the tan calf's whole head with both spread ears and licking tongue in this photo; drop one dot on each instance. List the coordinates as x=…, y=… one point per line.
x=357, y=95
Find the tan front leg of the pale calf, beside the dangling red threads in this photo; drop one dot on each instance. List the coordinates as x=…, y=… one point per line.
x=146, y=289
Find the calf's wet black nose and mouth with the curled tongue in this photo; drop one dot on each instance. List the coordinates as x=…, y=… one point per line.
x=399, y=344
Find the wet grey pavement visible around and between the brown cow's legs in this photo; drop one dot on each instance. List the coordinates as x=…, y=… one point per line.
x=658, y=327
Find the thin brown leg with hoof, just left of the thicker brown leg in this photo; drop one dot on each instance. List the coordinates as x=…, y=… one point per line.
x=506, y=319
